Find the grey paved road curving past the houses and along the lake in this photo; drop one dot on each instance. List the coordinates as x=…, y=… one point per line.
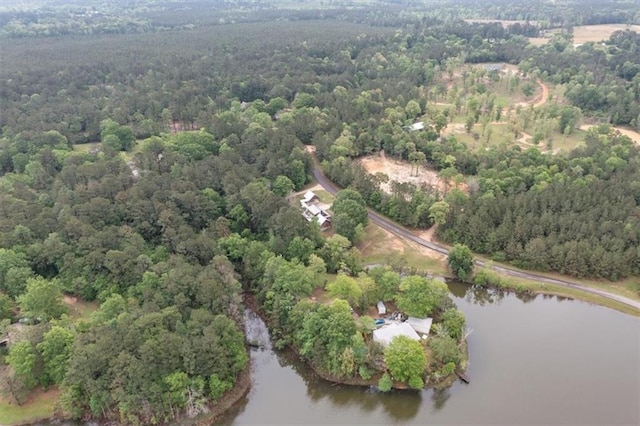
x=402, y=232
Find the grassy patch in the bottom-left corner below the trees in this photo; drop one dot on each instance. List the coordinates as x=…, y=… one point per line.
x=40, y=405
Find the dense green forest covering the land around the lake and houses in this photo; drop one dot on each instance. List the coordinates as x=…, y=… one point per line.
x=146, y=161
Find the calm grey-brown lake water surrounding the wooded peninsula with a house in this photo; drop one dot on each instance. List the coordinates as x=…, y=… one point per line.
x=543, y=361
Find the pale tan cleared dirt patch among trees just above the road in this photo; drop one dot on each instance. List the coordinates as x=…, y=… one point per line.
x=400, y=171
